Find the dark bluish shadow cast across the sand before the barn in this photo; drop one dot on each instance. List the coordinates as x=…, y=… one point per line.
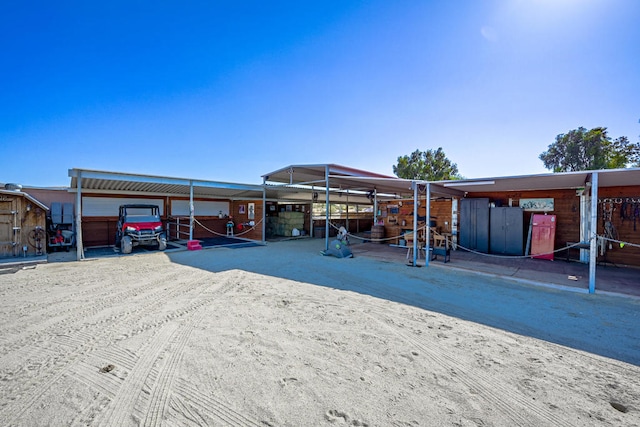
x=601, y=324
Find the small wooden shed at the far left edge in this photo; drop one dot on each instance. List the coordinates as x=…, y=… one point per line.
x=22, y=223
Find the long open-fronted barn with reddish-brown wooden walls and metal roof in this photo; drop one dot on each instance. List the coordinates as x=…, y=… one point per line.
x=584, y=204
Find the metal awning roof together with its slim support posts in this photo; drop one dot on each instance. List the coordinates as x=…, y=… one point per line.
x=296, y=182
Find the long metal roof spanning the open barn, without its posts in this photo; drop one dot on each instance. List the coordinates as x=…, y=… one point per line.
x=293, y=183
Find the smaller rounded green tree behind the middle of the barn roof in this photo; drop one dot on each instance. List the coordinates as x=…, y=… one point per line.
x=430, y=165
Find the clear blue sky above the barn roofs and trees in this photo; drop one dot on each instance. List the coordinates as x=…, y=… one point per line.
x=228, y=91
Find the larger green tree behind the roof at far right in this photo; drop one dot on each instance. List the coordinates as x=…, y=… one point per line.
x=582, y=149
